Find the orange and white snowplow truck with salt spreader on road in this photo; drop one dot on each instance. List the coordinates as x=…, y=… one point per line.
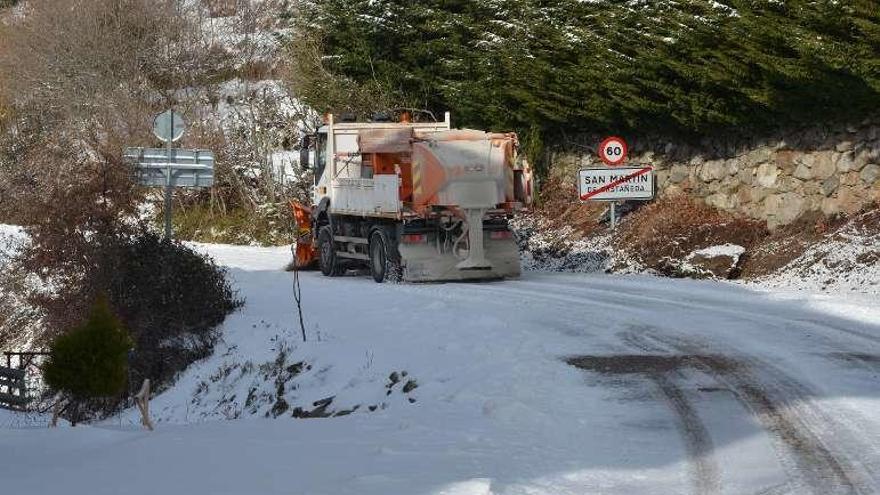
x=413, y=201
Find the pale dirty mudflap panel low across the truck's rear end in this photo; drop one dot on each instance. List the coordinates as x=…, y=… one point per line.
x=426, y=263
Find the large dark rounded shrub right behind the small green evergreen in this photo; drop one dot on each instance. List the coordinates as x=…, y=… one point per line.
x=170, y=297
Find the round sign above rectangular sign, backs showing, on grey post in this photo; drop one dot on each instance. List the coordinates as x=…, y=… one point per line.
x=168, y=167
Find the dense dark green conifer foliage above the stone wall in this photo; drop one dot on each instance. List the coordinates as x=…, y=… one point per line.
x=683, y=67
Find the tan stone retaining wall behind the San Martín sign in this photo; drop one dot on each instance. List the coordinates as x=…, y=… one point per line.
x=777, y=179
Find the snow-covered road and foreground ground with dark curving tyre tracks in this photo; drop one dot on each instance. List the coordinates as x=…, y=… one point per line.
x=552, y=384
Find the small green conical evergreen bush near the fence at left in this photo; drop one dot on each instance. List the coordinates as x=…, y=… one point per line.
x=90, y=361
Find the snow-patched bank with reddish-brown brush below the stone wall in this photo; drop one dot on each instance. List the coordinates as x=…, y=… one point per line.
x=842, y=260
